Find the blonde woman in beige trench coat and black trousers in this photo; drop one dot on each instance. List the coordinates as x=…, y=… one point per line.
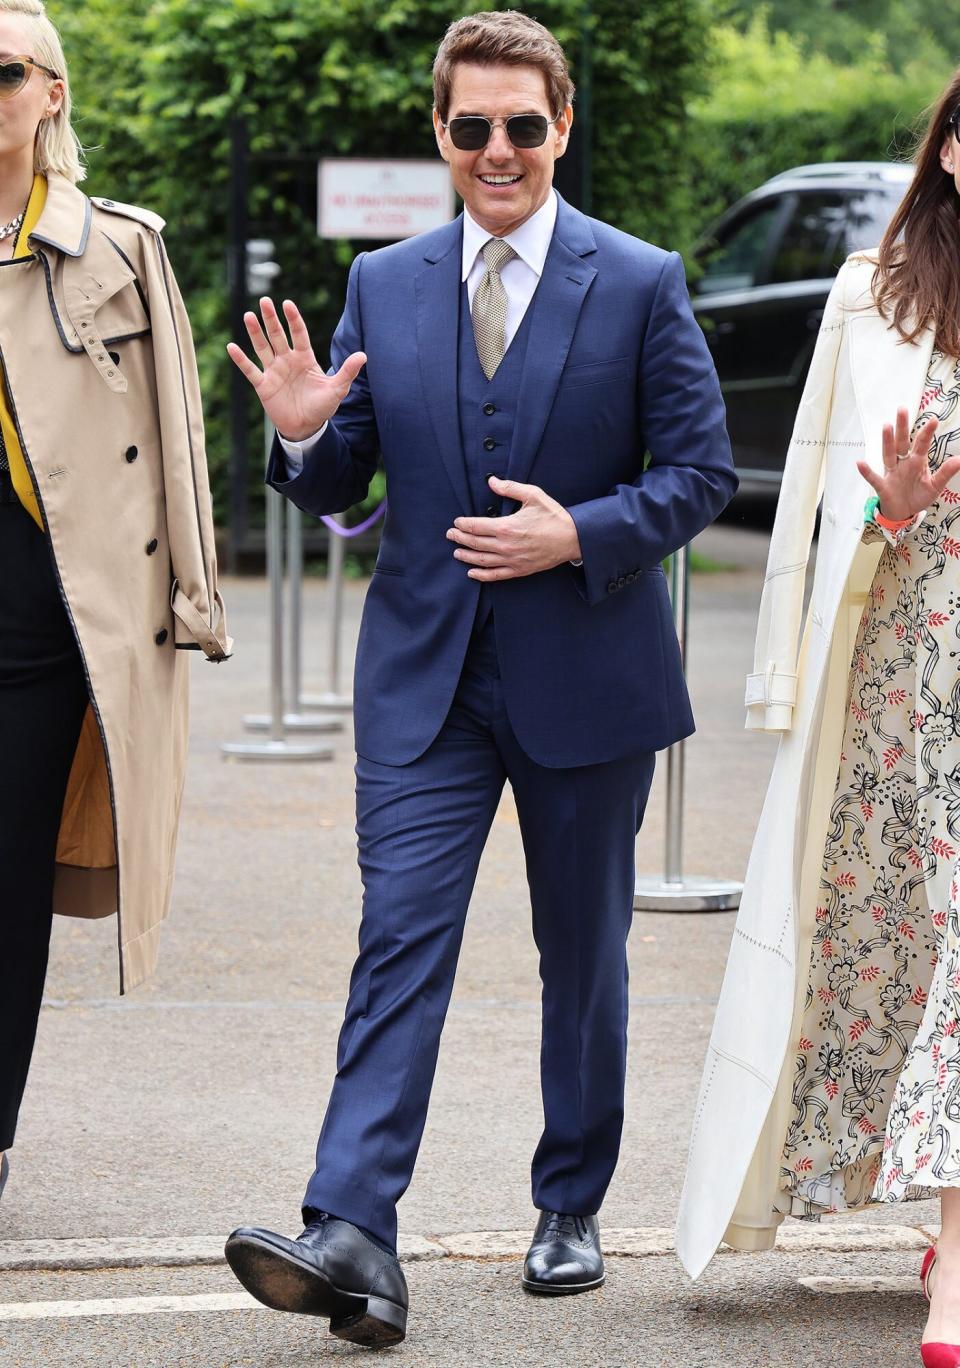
x=107, y=560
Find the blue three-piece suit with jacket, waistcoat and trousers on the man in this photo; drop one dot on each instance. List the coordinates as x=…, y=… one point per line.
x=564, y=683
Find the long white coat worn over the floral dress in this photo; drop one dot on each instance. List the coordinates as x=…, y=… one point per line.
x=861, y=374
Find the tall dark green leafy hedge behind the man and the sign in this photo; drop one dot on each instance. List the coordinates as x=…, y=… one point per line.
x=158, y=83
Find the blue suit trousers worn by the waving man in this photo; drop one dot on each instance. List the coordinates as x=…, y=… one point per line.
x=422, y=830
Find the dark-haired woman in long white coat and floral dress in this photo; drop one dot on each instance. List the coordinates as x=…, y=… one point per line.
x=834, y=1072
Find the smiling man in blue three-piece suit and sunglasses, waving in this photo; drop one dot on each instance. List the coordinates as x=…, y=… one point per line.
x=552, y=427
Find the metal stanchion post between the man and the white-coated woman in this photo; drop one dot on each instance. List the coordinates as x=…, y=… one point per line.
x=678, y=893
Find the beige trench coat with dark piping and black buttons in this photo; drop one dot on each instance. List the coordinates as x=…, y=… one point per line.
x=103, y=388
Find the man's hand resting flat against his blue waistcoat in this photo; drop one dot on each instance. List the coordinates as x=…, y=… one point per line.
x=538, y=537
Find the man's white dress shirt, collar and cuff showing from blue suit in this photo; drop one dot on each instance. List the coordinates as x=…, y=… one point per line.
x=522, y=276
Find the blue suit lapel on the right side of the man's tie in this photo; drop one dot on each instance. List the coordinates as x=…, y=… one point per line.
x=556, y=310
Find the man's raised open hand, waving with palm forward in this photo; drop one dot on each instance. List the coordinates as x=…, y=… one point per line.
x=296, y=392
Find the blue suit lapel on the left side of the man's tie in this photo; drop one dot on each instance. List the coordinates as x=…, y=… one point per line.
x=438, y=289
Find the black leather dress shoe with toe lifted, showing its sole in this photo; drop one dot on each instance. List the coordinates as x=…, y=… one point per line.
x=333, y=1270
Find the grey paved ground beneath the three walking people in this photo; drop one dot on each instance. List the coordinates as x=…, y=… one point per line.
x=194, y=1105
